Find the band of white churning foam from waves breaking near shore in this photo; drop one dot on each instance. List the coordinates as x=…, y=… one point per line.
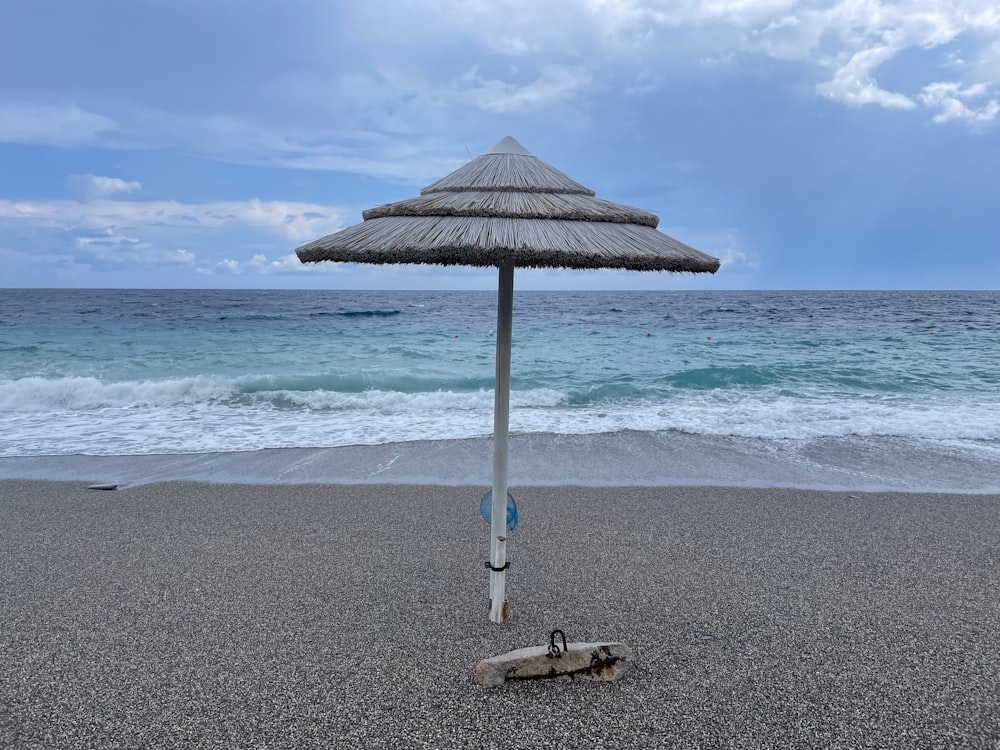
x=40, y=416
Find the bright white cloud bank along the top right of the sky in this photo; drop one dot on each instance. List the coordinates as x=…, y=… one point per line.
x=637, y=46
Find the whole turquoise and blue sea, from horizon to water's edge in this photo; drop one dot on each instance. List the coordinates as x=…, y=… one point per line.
x=854, y=390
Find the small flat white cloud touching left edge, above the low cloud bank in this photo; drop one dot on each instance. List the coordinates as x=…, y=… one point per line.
x=52, y=125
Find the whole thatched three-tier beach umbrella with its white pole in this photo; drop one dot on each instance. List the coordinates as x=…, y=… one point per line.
x=507, y=209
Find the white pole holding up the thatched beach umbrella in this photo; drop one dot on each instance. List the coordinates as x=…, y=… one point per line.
x=501, y=428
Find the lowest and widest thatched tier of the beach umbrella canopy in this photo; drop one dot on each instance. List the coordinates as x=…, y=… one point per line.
x=494, y=241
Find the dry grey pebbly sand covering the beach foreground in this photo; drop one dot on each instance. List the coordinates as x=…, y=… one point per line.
x=197, y=615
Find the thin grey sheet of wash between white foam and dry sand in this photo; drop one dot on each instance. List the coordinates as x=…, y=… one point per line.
x=629, y=458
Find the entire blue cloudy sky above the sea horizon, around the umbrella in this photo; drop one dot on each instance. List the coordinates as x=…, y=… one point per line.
x=834, y=144
